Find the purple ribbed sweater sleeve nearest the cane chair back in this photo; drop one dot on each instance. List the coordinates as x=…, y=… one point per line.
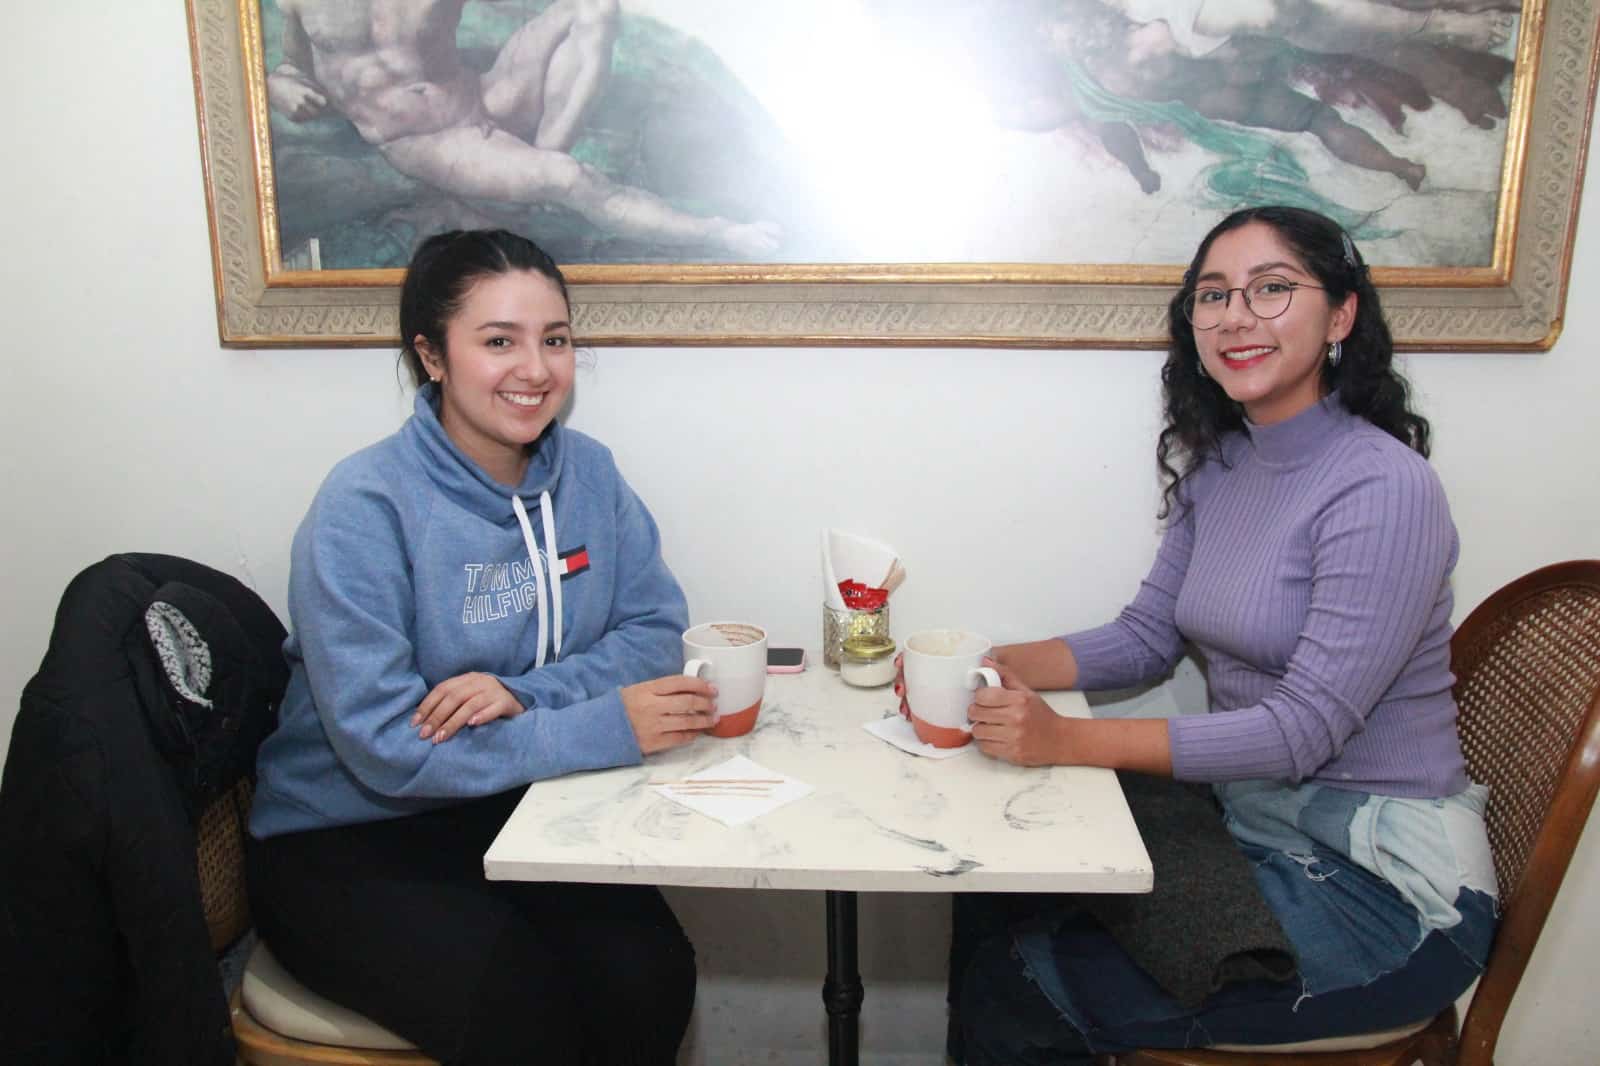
x=1382, y=553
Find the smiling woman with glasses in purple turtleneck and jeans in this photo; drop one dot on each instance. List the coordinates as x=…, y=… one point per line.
x=1306, y=558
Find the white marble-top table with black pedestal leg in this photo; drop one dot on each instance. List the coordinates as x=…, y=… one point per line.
x=881, y=820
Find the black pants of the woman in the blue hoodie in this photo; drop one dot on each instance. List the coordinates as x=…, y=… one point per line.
x=396, y=921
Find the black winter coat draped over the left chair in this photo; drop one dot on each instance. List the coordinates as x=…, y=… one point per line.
x=161, y=681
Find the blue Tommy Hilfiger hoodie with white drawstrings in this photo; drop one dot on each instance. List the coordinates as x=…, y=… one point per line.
x=414, y=567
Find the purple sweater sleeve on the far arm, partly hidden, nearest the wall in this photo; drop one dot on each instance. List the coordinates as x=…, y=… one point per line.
x=1143, y=643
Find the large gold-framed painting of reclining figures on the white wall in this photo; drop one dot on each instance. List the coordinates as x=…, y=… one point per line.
x=1026, y=174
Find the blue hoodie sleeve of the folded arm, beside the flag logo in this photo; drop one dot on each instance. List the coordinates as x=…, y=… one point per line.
x=644, y=630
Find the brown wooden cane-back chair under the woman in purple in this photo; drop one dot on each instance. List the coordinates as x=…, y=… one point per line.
x=1527, y=670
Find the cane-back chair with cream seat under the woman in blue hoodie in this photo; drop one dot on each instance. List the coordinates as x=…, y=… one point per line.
x=278, y=1022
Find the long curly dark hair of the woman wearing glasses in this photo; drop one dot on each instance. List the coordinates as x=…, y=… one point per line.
x=1199, y=414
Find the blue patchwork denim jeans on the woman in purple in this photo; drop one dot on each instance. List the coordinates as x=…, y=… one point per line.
x=1390, y=905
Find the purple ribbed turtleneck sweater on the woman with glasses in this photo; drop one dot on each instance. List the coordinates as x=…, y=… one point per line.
x=1313, y=574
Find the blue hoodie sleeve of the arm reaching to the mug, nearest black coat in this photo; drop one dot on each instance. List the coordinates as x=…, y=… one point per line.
x=353, y=606
